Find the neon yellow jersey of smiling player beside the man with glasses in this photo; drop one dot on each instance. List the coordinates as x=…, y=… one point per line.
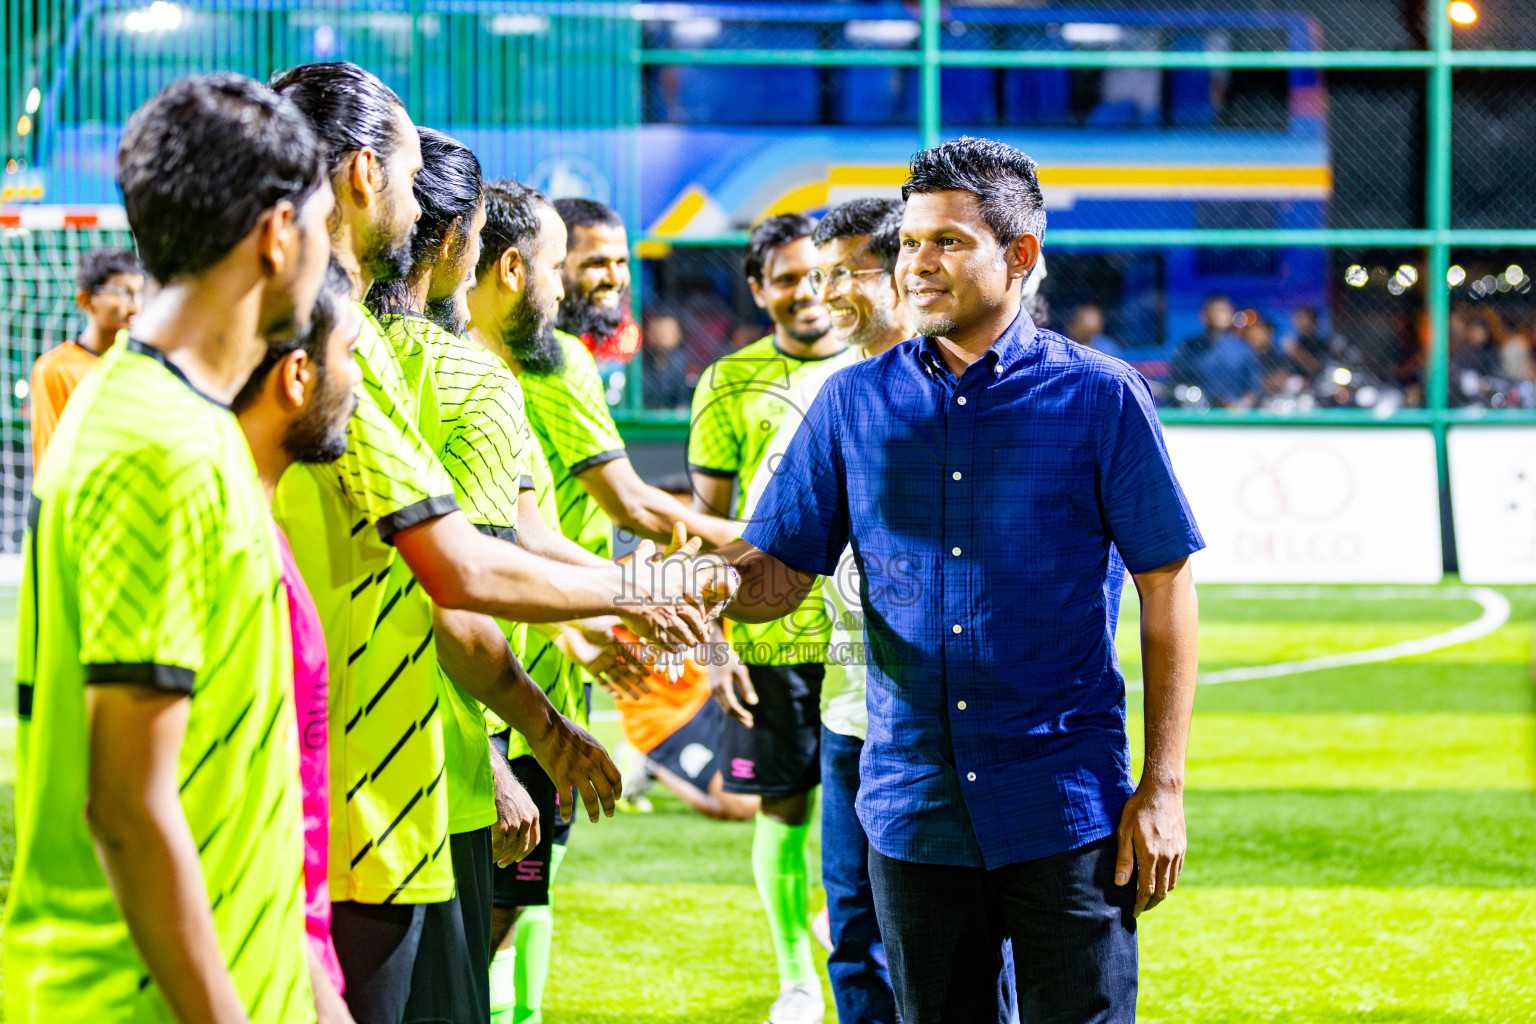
x=738, y=408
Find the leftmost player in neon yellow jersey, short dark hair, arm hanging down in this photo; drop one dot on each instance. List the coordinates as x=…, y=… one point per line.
x=159, y=864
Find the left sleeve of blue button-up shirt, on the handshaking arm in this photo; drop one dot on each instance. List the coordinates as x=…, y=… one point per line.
x=803, y=518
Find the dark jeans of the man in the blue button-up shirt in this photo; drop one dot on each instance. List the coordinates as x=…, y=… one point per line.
x=1071, y=927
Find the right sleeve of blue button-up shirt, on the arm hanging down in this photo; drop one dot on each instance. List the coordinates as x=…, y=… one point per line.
x=1142, y=506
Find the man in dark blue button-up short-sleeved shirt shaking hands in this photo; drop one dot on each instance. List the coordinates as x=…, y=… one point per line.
x=996, y=483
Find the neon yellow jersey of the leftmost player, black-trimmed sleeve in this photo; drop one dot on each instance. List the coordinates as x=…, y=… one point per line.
x=153, y=561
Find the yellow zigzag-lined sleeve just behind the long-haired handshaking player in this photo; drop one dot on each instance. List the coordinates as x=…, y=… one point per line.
x=486, y=454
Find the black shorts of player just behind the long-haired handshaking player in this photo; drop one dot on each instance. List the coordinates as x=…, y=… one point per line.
x=452, y=974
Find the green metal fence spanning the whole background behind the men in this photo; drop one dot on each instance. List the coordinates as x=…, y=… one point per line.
x=1409, y=136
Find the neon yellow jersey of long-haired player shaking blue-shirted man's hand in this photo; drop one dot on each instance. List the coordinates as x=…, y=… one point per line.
x=389, y=804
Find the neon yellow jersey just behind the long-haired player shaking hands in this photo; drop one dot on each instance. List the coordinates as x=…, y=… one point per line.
x=469, y=409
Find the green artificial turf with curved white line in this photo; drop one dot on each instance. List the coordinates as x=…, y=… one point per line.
x=1362, y=841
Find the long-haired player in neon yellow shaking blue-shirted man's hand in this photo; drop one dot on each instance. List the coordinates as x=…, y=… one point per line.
x=382, y=541
